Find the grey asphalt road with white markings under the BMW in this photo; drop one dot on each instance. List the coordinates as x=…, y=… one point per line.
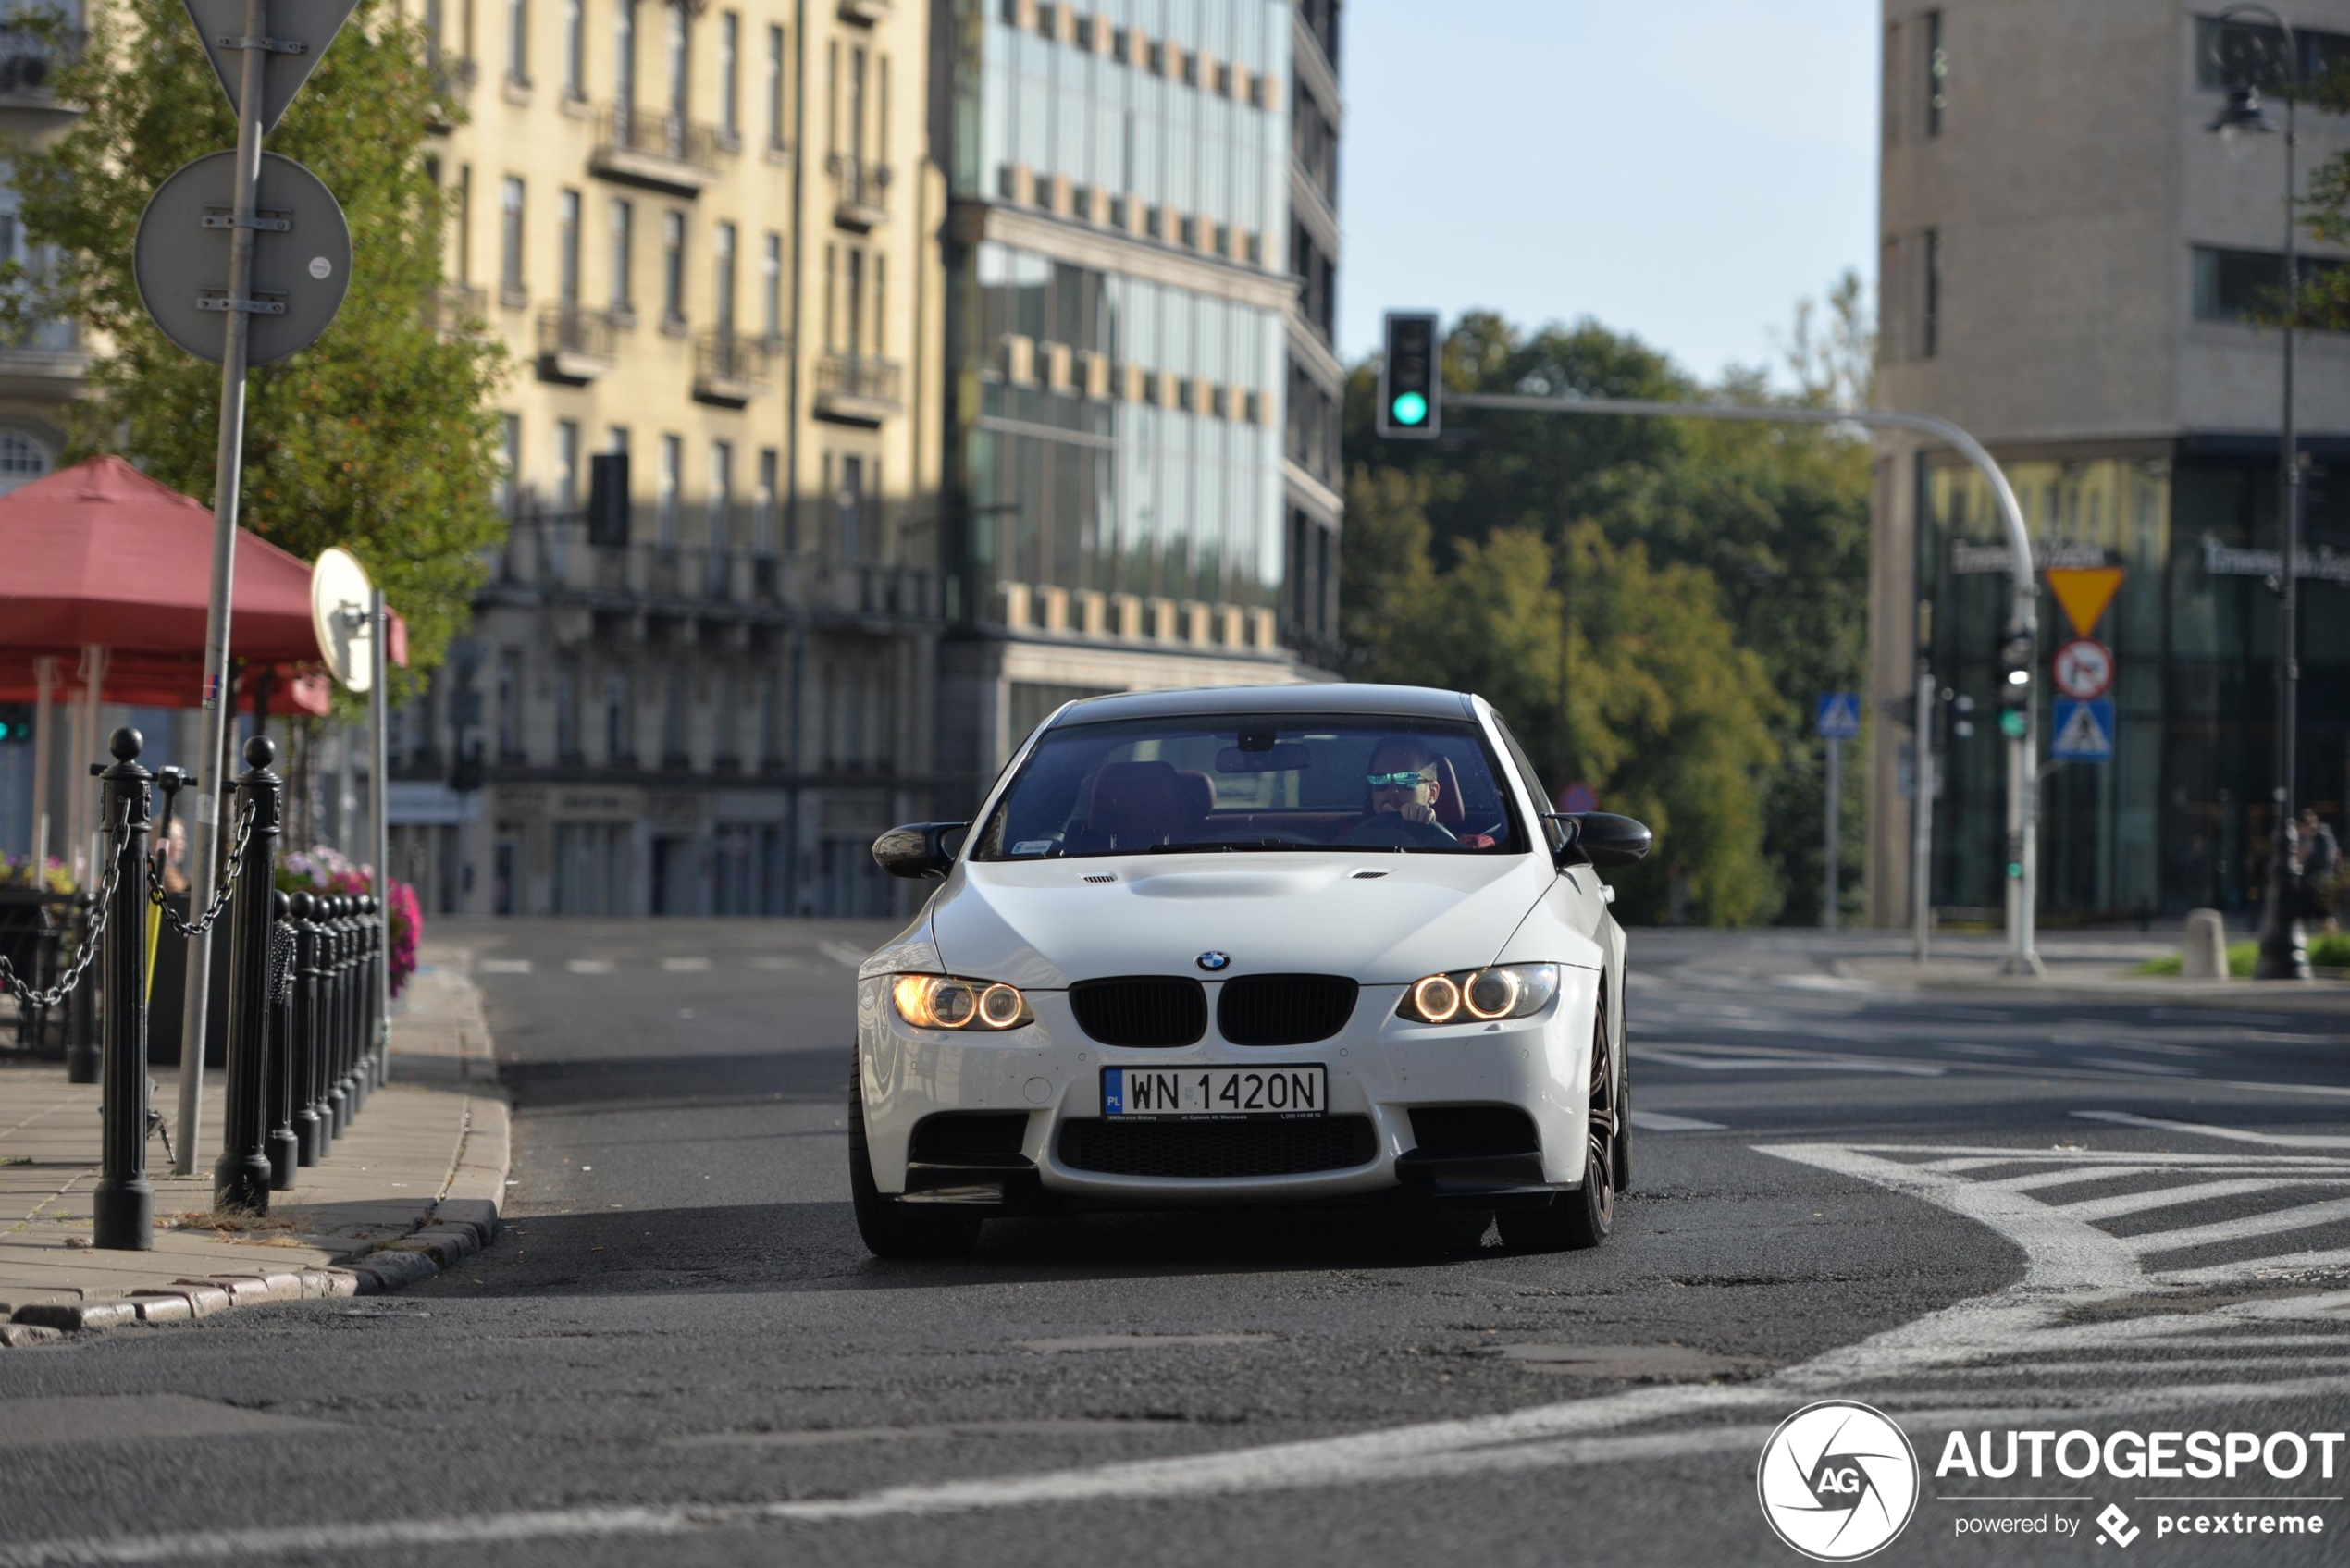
x=1968, y=1212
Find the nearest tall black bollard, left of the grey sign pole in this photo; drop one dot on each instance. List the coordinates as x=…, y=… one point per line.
x=123, y=1205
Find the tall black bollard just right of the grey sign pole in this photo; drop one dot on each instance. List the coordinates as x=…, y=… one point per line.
x=241, y=1179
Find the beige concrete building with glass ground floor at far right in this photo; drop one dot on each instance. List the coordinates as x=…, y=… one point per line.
x=2072, y=267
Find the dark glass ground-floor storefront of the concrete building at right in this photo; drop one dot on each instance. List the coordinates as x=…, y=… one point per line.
x=2182, y=815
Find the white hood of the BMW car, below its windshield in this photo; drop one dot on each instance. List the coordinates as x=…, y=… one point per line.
x=1383, y=918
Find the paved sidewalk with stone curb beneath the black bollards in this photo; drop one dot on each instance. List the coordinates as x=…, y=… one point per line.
x=410, y=1188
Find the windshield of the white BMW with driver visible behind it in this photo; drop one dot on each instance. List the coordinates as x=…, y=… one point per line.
x=1254, y=784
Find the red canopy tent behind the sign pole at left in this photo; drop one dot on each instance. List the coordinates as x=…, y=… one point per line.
x=100, y=556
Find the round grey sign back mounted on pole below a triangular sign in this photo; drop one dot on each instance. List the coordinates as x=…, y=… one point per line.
x=302, y=257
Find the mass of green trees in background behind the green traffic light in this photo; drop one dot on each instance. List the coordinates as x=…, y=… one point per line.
x=1719, y=582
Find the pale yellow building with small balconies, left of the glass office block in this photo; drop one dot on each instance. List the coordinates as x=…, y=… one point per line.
x=701, y=676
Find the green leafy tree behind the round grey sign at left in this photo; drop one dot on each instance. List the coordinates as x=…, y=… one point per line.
x=380, y=436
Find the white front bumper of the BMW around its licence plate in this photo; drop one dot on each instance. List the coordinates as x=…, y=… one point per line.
x=1378, y=1068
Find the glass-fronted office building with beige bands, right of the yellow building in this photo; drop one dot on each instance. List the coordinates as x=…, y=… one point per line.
x=1141, y=450
